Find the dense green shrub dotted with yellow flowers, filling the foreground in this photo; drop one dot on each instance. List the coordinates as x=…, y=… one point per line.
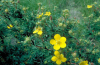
x=41, y=36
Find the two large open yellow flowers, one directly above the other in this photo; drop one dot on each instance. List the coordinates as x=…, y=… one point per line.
x=58, y=42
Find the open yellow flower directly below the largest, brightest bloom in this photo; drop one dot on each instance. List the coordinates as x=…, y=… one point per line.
x=59, y=58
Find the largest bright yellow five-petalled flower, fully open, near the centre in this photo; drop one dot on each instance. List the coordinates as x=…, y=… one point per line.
x=58, y=42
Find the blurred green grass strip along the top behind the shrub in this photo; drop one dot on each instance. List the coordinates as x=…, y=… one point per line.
x=61, y=4
